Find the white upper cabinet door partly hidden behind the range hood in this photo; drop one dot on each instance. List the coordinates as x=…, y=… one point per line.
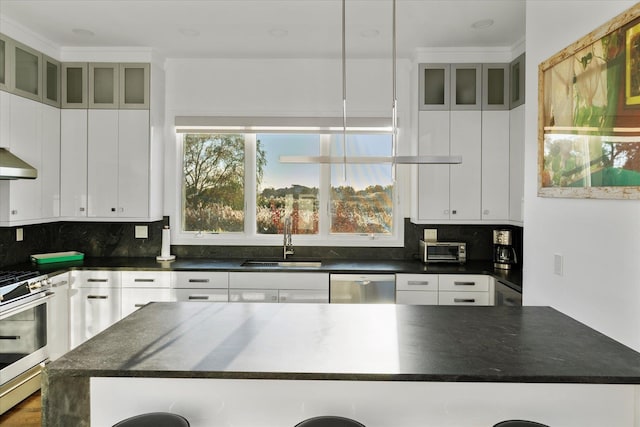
x=21, y=200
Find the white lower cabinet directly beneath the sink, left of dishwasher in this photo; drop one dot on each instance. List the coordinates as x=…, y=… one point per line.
x=279, y=287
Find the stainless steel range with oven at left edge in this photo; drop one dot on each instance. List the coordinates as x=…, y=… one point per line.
x=23, y=333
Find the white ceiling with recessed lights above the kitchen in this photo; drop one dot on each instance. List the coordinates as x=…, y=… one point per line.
x=269, y=28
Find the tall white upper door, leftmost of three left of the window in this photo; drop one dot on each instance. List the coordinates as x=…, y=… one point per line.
x=73, y=163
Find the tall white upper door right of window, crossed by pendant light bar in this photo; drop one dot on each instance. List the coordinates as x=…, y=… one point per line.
x=433, y=180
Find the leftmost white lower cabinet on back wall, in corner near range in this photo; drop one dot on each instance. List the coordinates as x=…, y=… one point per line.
x=95, y=299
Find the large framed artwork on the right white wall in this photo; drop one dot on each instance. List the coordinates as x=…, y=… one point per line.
x=589, y=114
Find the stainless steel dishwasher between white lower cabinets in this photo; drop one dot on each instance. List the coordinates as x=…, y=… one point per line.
x=362, y=289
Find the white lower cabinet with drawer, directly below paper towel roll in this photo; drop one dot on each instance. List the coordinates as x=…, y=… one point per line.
x=142, y=287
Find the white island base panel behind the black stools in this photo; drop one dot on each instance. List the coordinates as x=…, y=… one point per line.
x=283, y=403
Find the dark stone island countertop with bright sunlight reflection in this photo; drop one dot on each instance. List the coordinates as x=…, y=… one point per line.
x=352, y=342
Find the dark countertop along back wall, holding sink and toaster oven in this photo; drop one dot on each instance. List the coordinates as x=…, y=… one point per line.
x=512, y=278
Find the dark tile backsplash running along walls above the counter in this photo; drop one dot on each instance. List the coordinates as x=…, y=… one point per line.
x=100, y=239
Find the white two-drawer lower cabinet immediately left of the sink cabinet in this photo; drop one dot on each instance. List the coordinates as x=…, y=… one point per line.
x=201, y=286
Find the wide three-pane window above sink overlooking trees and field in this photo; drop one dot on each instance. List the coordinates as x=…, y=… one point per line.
x=235, y=189
